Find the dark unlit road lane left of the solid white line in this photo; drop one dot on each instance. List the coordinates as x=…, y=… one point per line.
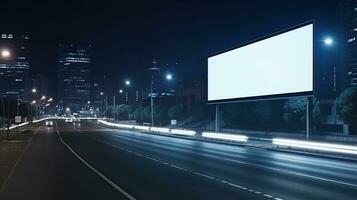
x=47, y=170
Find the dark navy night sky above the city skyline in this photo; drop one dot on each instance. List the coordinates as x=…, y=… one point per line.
x=126, y=35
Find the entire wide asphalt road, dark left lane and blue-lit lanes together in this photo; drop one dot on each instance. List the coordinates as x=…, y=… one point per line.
x=88, y=161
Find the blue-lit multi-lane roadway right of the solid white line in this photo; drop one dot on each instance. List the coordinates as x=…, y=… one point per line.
x=159, y=167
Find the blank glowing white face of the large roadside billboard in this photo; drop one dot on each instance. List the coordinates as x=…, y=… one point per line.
x=281, y=65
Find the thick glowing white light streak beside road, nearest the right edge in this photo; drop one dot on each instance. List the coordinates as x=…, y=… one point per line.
x=318, y=146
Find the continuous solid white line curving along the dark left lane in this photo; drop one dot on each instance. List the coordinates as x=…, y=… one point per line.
x=110, y=182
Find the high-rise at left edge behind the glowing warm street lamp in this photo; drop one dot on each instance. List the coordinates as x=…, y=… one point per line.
x=14, y=66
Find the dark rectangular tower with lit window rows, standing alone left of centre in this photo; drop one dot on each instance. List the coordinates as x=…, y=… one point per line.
x=74, y=71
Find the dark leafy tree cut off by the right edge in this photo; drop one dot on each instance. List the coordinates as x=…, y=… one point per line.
x=347, y=106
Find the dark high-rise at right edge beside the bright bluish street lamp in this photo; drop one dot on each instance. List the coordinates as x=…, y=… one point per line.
x=347, y=44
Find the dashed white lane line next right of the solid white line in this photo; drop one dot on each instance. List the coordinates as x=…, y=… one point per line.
x=187, y=170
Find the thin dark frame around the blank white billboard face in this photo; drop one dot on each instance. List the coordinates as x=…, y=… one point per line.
x=274, y=96
